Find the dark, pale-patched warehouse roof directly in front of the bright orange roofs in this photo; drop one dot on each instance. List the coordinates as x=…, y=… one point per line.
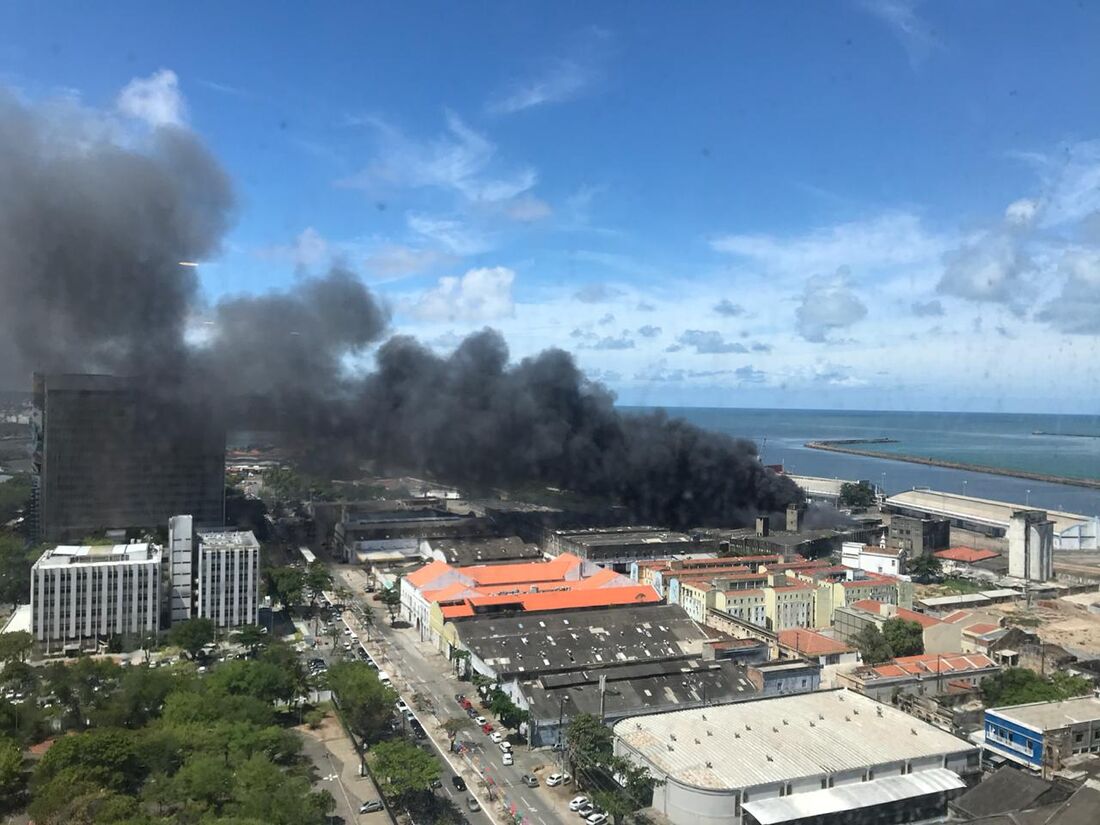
x=575, y=640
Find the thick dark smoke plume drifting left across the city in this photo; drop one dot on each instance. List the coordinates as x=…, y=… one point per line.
x=93, y=229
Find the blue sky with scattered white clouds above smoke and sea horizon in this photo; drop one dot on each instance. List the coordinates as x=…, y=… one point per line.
x=855, y=205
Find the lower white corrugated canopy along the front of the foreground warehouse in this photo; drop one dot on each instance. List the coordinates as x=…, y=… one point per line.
x=855, y=797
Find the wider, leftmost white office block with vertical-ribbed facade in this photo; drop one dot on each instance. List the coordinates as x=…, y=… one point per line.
x=81, y=596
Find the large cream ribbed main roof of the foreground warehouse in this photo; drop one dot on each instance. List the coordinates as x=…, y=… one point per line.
x=804, y=735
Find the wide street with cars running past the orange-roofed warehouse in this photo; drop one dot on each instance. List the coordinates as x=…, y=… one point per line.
x=417, y=668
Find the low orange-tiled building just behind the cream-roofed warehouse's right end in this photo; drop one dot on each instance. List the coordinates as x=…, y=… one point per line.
x=926, y=675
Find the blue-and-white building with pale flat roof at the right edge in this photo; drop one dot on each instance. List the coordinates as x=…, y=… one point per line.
x=1042, y=735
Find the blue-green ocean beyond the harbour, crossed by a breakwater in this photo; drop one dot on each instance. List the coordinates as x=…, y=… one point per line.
x=991, y=439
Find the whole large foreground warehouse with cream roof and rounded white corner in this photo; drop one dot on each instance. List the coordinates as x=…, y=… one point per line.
x=826, y=758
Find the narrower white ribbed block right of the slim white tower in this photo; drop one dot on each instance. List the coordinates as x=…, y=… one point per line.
x=228, y=578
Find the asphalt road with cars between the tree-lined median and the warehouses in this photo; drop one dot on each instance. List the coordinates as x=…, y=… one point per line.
x=425, y=677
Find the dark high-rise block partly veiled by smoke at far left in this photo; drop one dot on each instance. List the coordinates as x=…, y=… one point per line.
x=109, y=455
